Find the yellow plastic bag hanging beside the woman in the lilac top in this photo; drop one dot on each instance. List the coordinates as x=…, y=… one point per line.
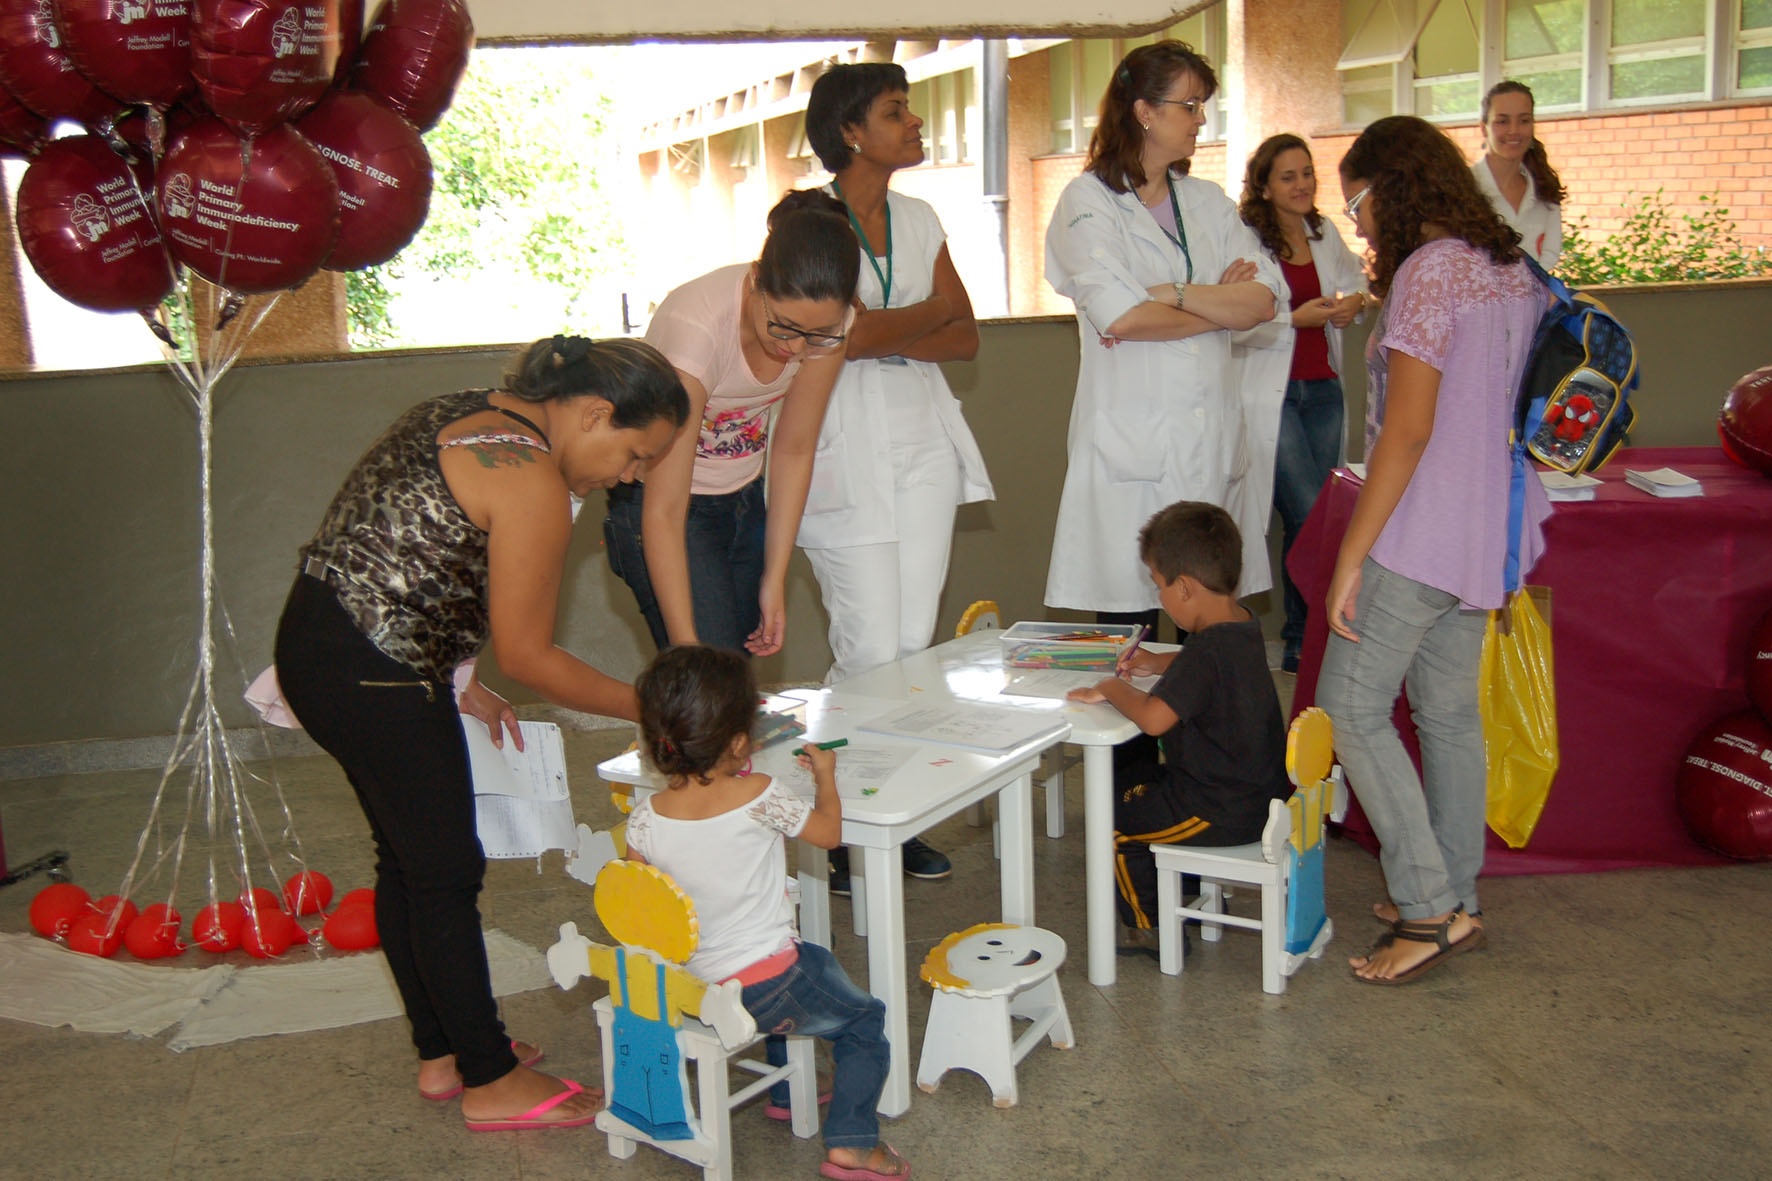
x=1518, y=696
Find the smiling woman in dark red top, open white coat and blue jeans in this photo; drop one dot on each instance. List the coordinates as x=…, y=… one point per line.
x=1291, y=368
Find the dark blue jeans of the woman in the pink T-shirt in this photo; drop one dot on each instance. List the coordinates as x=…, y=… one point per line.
x=726, y=547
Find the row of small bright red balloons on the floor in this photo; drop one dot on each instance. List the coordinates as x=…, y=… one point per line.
x=261, y=923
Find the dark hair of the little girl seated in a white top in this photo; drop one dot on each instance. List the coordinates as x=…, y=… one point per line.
x=694, y=701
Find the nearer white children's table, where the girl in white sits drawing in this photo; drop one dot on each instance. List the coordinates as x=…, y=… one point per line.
x=929, y=786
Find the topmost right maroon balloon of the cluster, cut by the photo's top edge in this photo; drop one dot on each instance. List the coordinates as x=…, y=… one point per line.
x=414, y=56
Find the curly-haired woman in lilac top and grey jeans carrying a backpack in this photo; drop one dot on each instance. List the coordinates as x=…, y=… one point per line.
x=1422, y=561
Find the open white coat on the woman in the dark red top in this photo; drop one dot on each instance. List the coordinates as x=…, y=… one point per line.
x=1263, y=363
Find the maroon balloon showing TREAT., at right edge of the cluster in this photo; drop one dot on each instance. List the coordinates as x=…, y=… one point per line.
x=384, y=176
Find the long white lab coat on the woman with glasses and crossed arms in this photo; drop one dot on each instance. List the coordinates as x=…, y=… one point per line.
x=1154, y=421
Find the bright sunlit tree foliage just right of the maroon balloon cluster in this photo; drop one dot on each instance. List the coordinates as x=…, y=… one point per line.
x=520, y=194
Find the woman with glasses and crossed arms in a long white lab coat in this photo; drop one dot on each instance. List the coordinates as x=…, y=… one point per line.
x=1163, y=272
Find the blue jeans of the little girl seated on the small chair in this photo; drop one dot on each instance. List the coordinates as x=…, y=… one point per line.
x=818, y=999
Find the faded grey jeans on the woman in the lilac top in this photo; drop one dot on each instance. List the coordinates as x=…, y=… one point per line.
x=1431, y=825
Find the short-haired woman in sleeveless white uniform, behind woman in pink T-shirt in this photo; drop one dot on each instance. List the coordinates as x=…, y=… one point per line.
x=896, y=457
